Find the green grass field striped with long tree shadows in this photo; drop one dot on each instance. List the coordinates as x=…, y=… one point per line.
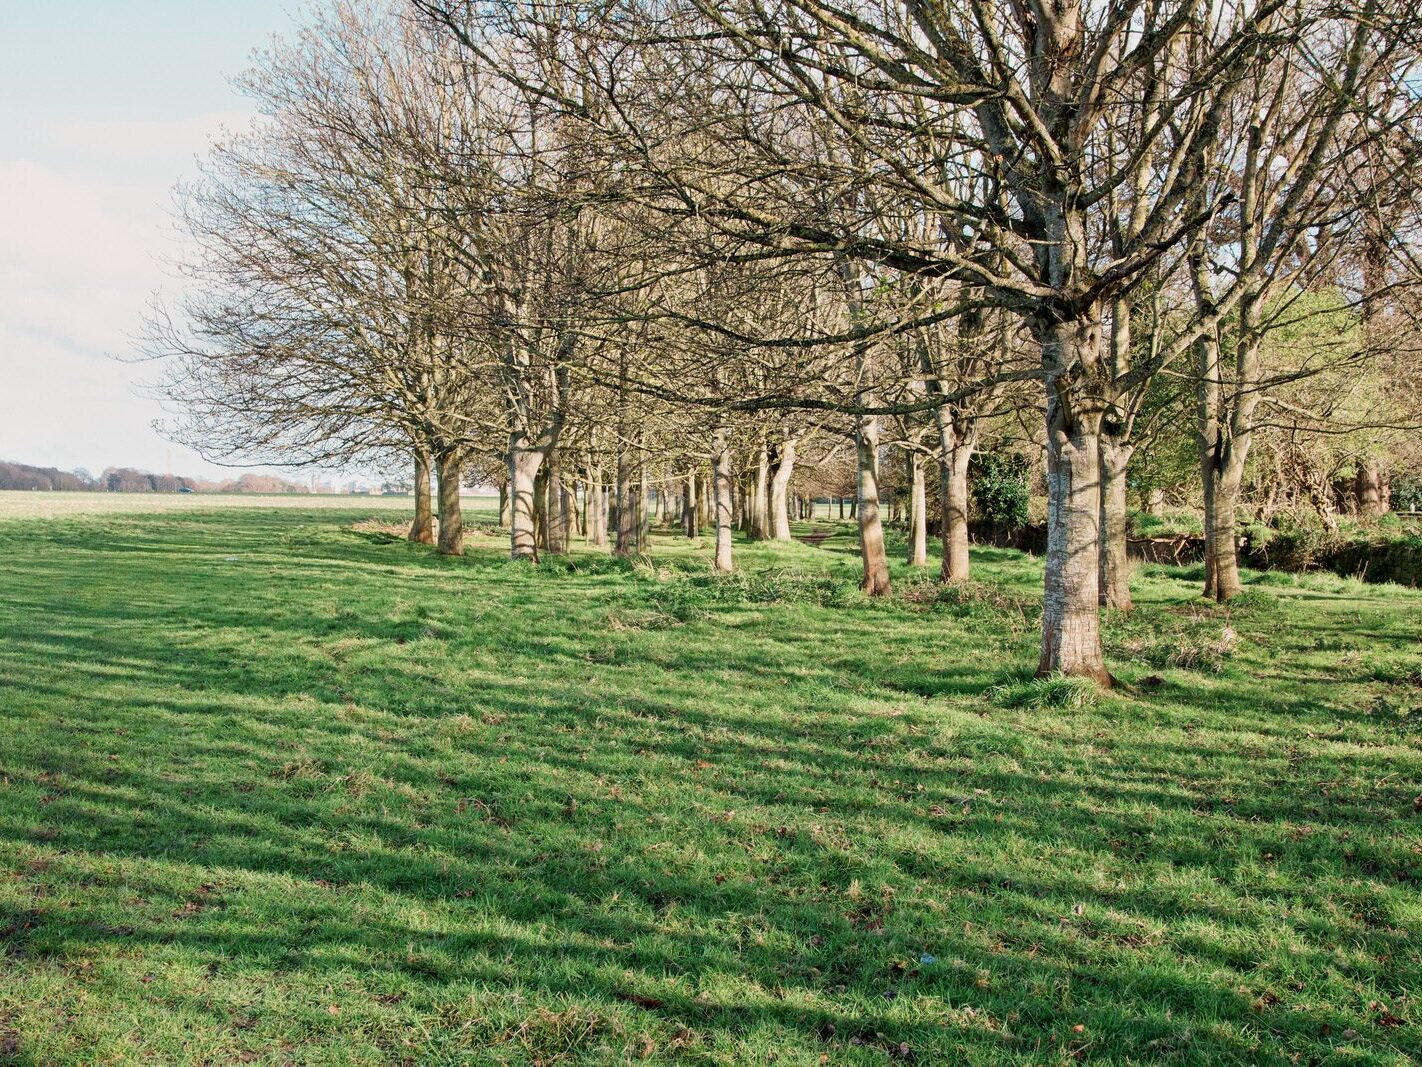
x=278, y=787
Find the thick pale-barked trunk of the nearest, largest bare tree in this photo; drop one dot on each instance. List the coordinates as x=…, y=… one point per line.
x=1071, y=605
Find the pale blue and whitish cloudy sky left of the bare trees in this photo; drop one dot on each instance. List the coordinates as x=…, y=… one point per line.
x=105, y=107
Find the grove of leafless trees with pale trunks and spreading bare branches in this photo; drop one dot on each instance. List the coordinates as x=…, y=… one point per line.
x=615, y=254
